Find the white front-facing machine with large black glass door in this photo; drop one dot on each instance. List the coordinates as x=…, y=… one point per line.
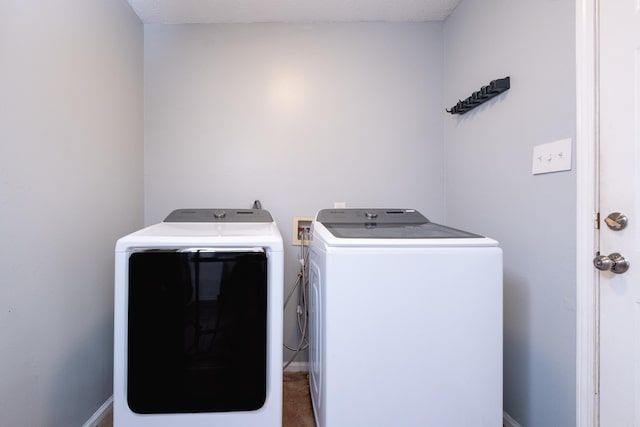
x=198, y=321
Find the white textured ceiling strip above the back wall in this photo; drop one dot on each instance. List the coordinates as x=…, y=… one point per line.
x=245, y=11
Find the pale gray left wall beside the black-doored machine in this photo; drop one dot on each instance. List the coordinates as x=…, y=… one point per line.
x=71, y=140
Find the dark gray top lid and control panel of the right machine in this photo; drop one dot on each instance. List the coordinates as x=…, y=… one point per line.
x=385, y=224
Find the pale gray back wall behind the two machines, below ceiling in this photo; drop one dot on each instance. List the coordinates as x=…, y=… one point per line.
x=298, y=116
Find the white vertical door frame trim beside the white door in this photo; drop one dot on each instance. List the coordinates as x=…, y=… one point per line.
x=587, y=307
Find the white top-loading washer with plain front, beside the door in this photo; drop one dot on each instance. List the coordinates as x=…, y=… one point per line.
x=405, y=322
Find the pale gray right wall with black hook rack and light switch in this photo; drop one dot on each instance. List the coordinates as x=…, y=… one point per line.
x=490, y=189
